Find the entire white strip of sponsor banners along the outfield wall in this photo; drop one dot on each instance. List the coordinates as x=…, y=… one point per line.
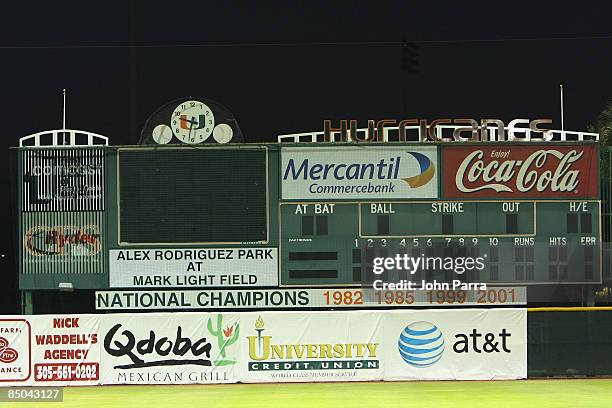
x=187, y=348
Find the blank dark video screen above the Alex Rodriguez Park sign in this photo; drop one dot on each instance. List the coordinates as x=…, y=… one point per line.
x=192, y=196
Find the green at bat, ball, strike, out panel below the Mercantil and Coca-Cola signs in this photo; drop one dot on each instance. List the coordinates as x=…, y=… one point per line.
x=522, y=242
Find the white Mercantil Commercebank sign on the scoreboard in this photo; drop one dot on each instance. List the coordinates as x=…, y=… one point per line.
x=354, y=172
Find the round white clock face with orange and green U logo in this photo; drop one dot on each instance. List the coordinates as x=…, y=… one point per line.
x=192, y=122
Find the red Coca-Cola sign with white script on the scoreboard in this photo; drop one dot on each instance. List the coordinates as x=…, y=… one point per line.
x=495, y=171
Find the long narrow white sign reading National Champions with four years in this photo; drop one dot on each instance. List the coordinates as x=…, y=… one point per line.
x=299, y=298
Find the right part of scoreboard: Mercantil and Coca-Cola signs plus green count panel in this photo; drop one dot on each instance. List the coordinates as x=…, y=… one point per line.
x=530, y=211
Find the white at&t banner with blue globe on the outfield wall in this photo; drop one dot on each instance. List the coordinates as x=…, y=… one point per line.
x=459, y=344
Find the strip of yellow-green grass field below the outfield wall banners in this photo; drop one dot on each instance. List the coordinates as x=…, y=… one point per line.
x=494, y=394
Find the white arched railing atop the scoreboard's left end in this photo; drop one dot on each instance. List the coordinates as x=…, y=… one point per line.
x=63, y=137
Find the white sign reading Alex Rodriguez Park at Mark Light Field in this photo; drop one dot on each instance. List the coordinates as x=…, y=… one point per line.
x=143, y=268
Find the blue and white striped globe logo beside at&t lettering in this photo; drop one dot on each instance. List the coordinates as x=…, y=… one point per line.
x=421, y=344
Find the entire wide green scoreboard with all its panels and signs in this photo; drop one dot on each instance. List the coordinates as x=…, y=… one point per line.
x=313, y=217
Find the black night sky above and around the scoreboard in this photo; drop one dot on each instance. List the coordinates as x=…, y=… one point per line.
x=283, y=67
